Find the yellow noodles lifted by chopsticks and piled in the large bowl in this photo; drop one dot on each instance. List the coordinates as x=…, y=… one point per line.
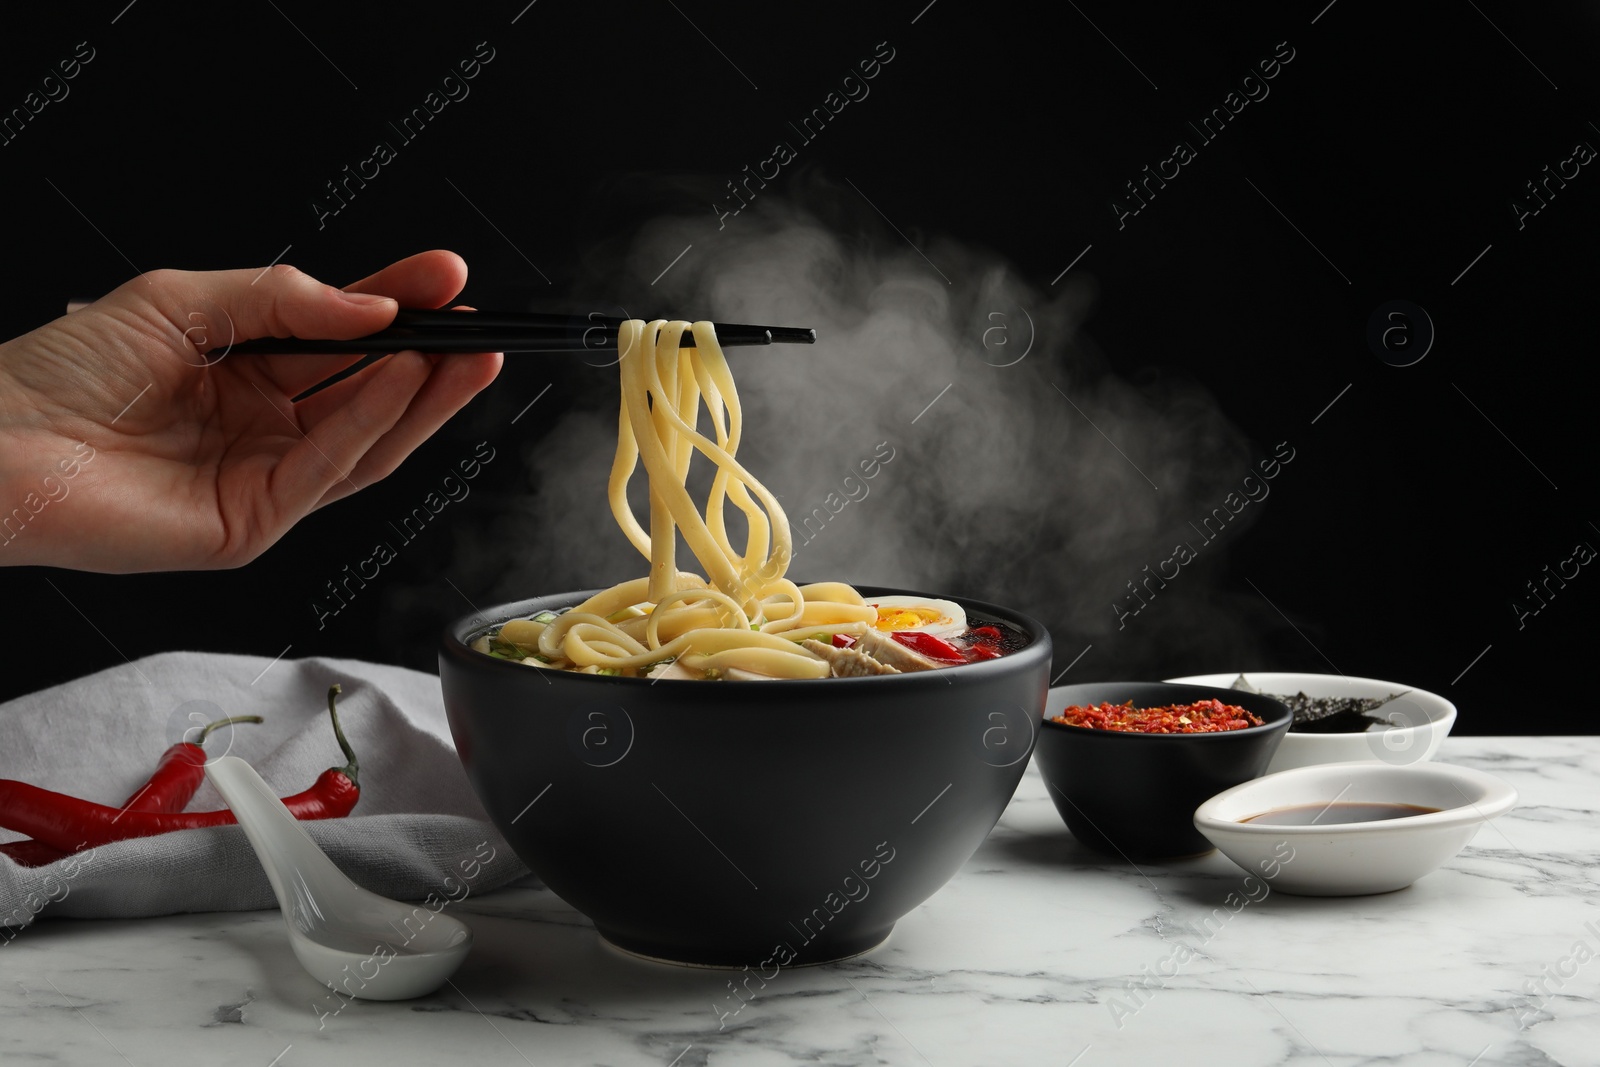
x=745, y=615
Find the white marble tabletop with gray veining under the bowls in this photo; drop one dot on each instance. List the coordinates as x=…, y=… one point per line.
x=1038, y=953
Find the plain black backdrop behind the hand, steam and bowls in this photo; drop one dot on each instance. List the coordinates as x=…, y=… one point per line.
x=1423, y=500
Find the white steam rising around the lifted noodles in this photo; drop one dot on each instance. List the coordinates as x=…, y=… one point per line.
x=1009, y=489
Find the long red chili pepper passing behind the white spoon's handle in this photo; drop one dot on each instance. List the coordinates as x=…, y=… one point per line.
x=74, y=825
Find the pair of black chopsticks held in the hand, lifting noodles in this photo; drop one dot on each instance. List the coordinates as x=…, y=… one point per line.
x=505, y=332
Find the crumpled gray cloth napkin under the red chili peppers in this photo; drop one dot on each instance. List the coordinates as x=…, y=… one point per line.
x=417, y=831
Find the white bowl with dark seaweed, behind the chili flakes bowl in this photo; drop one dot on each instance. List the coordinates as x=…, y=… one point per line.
x=1340, y=719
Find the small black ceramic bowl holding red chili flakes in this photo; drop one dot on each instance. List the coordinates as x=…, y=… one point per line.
x=1135, y=794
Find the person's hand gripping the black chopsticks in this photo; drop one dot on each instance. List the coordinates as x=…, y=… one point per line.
x=124, y=450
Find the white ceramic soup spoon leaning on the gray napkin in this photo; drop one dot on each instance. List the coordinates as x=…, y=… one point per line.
x=358, y=943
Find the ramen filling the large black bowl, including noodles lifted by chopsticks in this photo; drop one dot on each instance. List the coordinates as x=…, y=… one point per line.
x=742, y=620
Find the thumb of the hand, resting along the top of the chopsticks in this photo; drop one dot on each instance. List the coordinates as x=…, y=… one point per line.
x=242, y=305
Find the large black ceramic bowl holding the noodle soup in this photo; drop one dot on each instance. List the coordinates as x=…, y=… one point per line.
x=743, y=823
